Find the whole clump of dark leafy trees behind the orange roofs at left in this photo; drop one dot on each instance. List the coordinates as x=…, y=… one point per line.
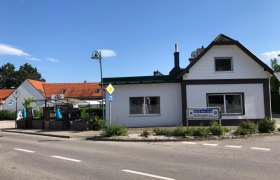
x=10, y=77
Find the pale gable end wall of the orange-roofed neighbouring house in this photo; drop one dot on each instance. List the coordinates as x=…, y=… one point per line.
x=26, y=91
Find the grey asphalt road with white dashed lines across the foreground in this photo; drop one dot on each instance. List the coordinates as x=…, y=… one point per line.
x=37, y=157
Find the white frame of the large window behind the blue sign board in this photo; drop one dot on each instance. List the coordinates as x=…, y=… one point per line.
x=224, y=99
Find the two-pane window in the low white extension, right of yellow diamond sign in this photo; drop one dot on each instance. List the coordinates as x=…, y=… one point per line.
x=144, y=105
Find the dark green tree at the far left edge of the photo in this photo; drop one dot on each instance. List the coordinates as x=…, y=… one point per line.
x=7, y=76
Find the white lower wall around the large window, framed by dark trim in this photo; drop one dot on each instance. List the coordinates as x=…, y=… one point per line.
x=253, y=98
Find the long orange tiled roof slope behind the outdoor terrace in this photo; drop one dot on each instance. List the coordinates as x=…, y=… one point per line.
x=73, y=90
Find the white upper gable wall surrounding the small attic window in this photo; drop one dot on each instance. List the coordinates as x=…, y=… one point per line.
x=243, y=66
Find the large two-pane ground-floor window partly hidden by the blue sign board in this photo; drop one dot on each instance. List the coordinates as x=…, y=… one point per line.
x=229, y=103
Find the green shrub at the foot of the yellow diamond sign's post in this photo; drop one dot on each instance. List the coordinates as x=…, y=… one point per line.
x=115, y=130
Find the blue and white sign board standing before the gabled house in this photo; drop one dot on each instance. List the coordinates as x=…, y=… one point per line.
x=209, y=113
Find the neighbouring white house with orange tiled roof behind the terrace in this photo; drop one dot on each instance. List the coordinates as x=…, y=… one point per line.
x=76, y=94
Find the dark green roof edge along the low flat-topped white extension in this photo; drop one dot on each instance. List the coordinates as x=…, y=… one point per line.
x=140, y=80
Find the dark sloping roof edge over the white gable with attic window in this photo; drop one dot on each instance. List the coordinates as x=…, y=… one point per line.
x=225, y=40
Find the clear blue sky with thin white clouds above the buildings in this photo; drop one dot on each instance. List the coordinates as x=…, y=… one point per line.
x=58, y=36
